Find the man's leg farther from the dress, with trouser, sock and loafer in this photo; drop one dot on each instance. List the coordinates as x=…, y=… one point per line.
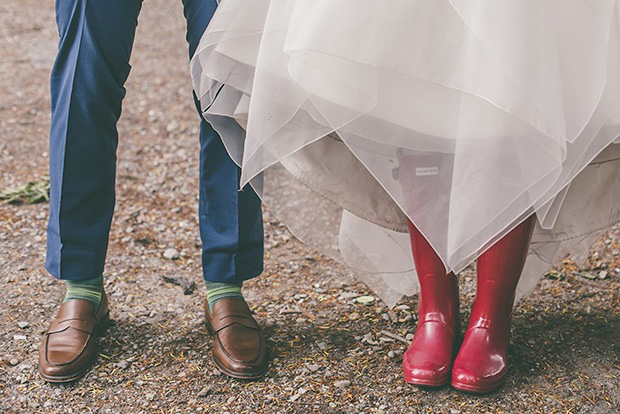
x=96, y=37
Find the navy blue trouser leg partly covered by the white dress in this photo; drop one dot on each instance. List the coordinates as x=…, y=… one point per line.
x=231, y=226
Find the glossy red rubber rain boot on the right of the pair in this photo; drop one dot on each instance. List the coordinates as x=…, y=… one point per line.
x=481, y=363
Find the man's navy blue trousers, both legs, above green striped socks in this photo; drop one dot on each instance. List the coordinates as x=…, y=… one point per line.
x=87, y=87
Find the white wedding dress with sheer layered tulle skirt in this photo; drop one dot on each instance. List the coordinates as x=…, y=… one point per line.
x=466, y=116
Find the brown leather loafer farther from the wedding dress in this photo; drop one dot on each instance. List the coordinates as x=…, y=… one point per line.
x=68, y=347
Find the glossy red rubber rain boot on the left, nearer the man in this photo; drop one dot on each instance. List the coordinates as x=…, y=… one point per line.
x=428, y=360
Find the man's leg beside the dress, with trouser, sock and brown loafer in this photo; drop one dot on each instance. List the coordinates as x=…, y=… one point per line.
x=231, y=229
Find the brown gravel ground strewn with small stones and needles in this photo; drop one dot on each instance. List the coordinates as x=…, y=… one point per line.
x=329, y=352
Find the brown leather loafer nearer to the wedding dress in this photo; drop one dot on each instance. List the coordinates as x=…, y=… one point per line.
x=239, y=348
